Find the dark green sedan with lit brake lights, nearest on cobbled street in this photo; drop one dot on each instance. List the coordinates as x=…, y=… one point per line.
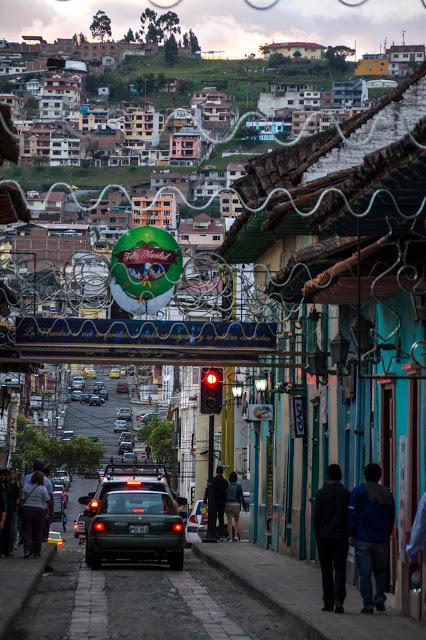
x=137, y=525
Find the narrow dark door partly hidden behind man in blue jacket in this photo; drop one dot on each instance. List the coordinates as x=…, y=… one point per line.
x=387, y=459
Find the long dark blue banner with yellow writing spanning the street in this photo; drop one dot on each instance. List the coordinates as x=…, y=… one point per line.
x=217, y=340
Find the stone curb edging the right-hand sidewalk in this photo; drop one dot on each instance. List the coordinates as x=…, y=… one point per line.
x=306, y=626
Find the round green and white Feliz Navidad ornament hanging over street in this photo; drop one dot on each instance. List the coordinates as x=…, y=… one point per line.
x=146, y=265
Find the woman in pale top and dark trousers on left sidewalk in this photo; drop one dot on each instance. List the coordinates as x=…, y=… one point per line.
x=35, y=499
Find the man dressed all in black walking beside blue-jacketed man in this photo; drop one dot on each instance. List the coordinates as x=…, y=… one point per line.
x=331, y=532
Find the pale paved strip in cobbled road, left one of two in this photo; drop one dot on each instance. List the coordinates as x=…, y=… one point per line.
x=90, y=614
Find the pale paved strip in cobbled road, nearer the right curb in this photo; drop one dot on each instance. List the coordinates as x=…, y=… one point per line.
x=211, y=615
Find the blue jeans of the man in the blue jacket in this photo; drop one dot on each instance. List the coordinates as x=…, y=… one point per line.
x=372, y=558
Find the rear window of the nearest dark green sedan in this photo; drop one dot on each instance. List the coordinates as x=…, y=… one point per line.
x=135, y=503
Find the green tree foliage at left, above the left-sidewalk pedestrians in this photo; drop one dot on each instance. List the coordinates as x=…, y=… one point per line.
x=79, y=455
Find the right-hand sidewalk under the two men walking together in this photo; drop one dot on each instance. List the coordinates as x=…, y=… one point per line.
x=294, y=588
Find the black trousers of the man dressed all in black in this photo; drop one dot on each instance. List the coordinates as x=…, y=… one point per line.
x=332, y=556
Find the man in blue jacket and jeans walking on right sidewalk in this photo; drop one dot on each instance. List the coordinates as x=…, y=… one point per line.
x=371, y=517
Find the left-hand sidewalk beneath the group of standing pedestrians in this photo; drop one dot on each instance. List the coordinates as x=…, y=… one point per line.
x=18, y=578
